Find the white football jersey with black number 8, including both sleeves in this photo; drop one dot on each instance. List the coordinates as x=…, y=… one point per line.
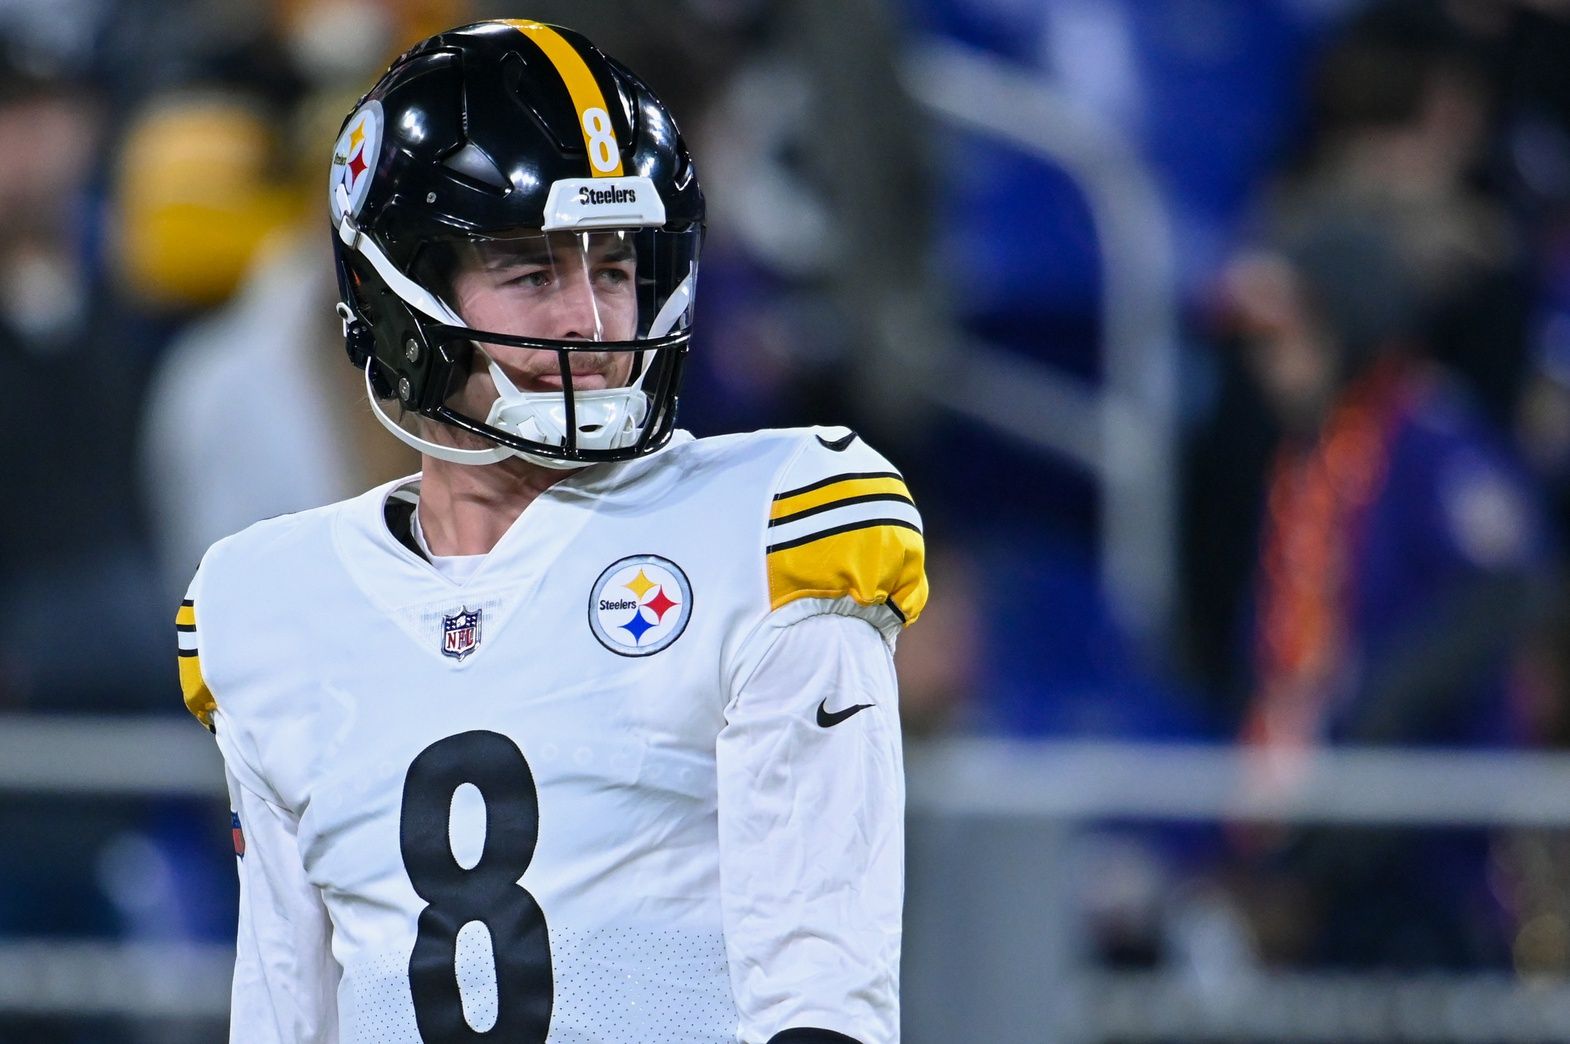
x=635, y=779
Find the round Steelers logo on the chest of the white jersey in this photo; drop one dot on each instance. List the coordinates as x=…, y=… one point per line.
x=640, y=605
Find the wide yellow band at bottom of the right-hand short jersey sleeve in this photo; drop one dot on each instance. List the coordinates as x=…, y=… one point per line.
x=875, y=563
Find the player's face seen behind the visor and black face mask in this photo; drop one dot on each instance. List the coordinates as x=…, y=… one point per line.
x=561, y=287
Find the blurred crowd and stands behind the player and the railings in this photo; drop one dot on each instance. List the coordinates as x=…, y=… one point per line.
x=1370, y=208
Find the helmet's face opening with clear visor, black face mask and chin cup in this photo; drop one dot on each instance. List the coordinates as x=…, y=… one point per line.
x=569, y=345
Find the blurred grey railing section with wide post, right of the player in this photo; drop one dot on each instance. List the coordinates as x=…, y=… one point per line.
x=998, y=943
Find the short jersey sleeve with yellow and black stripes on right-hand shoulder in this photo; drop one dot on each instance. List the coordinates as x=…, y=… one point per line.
x=844, y=530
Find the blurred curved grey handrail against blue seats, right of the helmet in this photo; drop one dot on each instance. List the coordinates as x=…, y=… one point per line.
x=1123, y=434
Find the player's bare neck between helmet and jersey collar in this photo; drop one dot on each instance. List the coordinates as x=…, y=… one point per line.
x=466, y=509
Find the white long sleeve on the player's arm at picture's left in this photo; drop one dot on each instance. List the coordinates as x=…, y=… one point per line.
x=285, y=974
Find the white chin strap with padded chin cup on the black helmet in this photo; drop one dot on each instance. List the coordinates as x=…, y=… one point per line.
x=607, y=418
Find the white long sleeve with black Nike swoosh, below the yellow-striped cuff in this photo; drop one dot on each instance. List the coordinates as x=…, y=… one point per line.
x=812, y=838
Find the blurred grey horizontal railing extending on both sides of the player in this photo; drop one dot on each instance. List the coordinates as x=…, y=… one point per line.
x=991, y=946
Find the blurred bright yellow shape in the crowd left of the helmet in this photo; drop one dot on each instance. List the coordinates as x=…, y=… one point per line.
x=197, y=200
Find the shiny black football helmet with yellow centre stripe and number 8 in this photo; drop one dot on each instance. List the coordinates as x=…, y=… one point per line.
x=520, y=151
